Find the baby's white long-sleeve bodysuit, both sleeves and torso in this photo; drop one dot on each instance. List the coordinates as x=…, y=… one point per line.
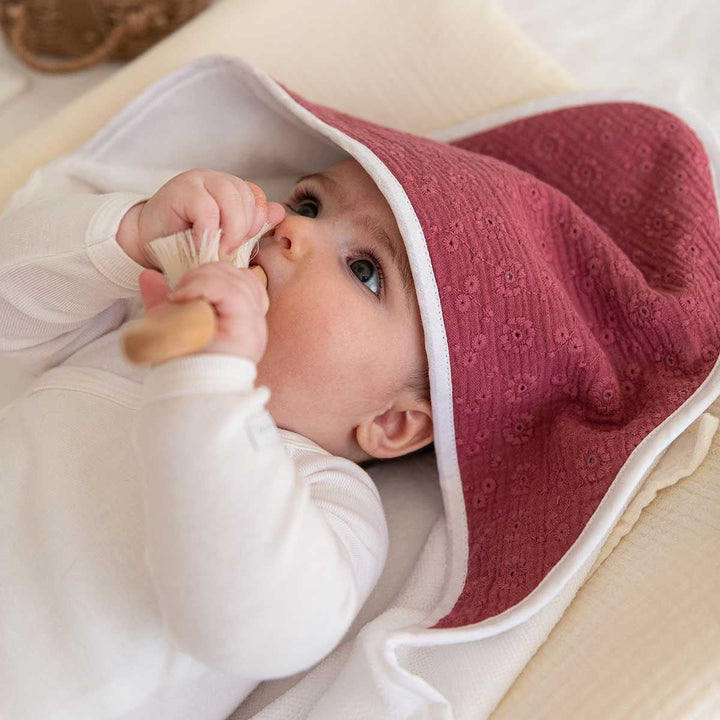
x=164, y=546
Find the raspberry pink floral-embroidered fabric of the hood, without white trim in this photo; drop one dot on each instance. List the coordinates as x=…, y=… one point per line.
x=577, y=254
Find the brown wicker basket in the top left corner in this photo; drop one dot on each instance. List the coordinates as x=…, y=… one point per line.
x=85, y=32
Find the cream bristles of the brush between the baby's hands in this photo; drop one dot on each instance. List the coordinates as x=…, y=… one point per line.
x=176, y=254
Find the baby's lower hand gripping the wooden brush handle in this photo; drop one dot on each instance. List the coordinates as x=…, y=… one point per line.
x=238, y=297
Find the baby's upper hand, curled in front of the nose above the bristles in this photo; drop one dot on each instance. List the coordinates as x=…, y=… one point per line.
x=203, y=200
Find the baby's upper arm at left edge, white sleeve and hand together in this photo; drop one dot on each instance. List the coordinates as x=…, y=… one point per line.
x=71, y=259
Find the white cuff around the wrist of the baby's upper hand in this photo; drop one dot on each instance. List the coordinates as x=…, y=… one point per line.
x=101, y=243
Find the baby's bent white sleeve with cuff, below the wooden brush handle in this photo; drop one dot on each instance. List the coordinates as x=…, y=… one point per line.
x=260, y=564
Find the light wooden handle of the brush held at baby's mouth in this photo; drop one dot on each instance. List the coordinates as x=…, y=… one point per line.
x=173, y=330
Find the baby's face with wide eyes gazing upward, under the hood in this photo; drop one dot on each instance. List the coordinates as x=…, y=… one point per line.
x=344, y=333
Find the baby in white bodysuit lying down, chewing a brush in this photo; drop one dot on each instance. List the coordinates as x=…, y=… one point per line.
x=176, y=534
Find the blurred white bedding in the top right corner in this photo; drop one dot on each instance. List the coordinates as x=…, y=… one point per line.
x=662, y=46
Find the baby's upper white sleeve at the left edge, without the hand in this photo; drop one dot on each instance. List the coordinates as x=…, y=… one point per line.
x=64, y=280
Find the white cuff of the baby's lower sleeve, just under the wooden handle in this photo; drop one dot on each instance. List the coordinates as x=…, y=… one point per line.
x=201, y=374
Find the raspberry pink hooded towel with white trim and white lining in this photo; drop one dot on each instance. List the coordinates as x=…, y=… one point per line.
x=567, y=267
